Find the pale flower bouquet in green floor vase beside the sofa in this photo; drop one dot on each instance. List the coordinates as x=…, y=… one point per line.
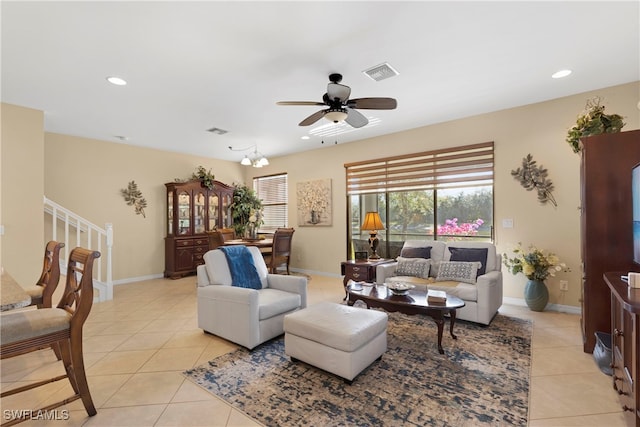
x=537, y=265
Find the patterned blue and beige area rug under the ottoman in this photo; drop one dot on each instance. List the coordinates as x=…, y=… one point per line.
x=482, y=379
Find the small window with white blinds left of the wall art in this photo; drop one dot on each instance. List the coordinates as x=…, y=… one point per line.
x=273, y=191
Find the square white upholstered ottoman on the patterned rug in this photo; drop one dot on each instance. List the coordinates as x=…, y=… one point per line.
x=337, y=338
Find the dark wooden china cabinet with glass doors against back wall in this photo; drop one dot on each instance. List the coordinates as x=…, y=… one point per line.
x=192, y=210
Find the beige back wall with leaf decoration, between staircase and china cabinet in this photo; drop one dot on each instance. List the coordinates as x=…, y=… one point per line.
x=86, y=175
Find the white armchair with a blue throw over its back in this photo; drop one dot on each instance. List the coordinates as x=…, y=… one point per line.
x=247, y=317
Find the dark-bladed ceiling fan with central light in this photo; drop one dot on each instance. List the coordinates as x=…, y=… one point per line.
x=341, y=107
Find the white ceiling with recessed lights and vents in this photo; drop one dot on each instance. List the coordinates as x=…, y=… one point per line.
x=191, y=66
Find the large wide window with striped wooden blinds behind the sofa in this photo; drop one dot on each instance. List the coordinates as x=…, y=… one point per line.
x=443, y=194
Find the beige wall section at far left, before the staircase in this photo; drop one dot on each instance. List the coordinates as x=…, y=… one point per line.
x=22, y=187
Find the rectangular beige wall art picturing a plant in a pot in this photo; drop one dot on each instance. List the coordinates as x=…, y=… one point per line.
x=314, y=203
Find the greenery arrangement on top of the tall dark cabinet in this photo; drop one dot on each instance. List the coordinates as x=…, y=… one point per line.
x=593, y=121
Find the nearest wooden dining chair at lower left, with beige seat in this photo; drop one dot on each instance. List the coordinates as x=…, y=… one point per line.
x=24, y=331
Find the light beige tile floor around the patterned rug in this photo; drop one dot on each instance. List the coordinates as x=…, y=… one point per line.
x=137, y=345
